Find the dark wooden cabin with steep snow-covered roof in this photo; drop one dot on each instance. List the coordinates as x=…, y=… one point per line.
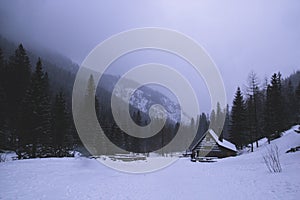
x=209, y=145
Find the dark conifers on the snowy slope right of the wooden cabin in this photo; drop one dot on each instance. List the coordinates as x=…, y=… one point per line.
x=263, y=111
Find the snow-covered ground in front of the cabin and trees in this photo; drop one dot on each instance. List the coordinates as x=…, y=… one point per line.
x=241, y=177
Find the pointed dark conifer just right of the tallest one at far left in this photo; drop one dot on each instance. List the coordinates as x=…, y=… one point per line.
x=34, y=129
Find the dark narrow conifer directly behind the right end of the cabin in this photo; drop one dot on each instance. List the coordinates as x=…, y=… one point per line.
x=237, y=129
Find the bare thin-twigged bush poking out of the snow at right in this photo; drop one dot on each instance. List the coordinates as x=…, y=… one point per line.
x=271, y=159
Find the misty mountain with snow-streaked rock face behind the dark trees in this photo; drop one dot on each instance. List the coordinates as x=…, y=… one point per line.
x=62, y=72
